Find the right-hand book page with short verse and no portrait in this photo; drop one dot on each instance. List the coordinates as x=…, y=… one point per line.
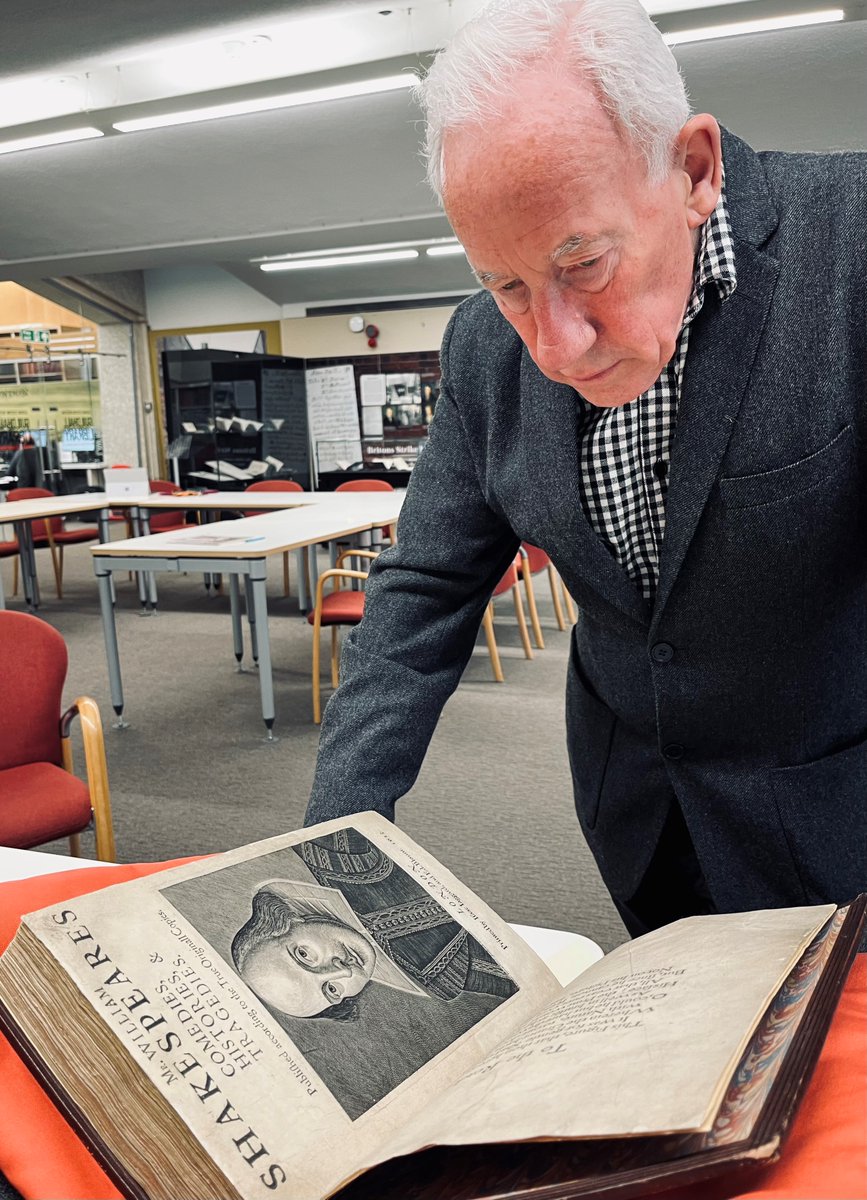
x=643, y=1042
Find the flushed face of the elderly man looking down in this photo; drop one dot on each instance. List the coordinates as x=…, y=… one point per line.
x=587, y=260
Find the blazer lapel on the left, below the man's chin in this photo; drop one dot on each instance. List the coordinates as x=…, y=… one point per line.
x=552, y=416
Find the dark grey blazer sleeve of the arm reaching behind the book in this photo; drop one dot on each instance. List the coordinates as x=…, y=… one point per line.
x=426, y=599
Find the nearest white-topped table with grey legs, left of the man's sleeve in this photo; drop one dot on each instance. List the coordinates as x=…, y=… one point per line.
x=241, y=550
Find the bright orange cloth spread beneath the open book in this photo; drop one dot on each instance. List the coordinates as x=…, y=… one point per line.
x=826, y=1157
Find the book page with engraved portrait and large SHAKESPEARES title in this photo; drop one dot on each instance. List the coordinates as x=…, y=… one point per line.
x=306, y=995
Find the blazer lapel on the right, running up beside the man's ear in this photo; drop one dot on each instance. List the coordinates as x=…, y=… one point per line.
x=724, y=344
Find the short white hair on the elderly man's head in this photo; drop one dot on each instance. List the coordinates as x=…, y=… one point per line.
x=612, y=44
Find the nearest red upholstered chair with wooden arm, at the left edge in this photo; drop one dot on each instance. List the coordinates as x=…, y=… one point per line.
x=40, y=797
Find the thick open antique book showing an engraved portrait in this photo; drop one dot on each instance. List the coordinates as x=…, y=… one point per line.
x=332, y=1011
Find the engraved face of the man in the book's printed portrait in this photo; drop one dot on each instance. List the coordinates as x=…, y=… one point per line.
x=316, y=965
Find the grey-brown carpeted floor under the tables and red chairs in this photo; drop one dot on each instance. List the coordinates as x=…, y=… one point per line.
x=193, y=775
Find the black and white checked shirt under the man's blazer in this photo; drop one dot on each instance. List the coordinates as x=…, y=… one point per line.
x=626, y=452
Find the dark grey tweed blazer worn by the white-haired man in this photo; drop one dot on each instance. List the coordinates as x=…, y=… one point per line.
x=743, y=692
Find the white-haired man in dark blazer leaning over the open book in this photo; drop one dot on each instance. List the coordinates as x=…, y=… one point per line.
x=661, y=385
